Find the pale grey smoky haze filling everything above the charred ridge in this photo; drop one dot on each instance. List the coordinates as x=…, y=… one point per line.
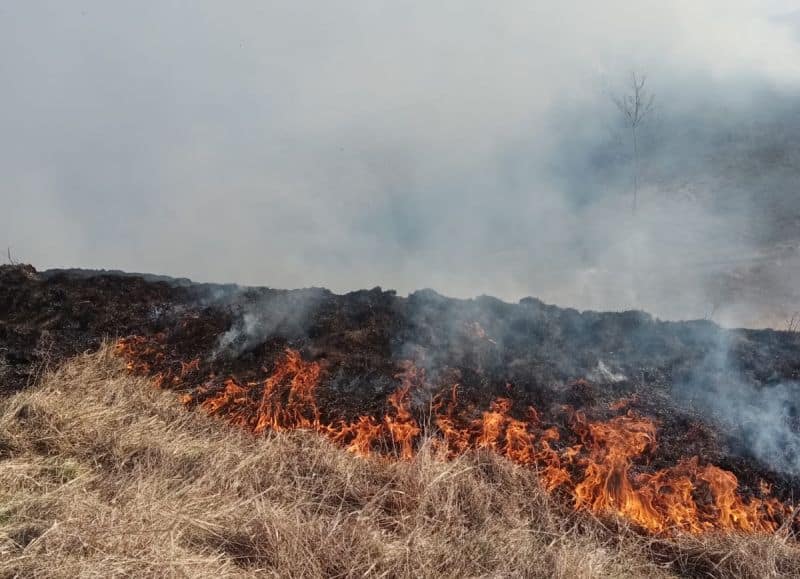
x=472, y=147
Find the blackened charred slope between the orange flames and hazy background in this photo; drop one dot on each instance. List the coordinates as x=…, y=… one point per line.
x=530, y=351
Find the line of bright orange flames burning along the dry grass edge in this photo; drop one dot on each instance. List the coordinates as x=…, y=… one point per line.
x=601, y=466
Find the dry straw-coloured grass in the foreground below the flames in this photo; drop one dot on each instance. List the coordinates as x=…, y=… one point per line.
x=101, y=475
